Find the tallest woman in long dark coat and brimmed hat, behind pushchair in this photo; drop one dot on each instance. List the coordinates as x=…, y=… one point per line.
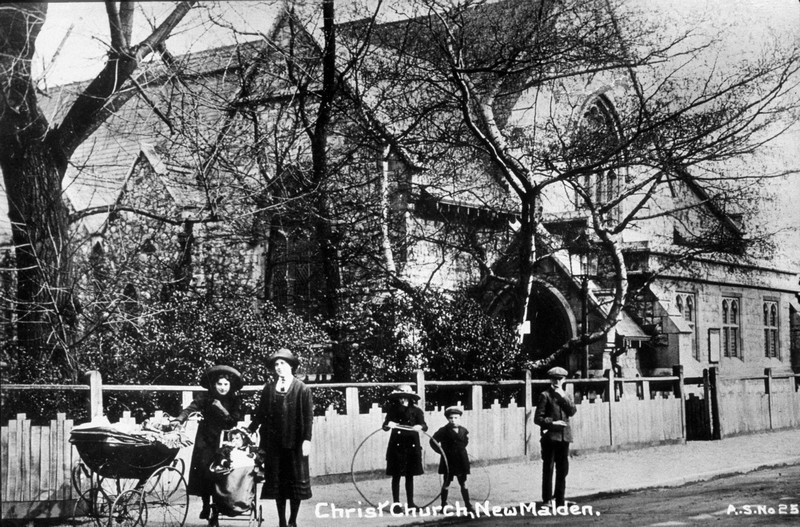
x=285, y=414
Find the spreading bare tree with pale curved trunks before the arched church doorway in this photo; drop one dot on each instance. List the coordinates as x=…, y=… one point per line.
x=465, y=65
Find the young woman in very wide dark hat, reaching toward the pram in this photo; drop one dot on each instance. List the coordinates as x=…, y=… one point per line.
x=221, y=410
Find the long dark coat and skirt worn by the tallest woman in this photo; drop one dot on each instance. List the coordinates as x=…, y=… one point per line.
x=286, y=420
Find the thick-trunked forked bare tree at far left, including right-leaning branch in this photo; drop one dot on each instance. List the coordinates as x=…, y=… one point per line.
x=35, y=156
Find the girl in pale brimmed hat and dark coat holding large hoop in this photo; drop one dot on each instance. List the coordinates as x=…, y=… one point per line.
x=404, y=453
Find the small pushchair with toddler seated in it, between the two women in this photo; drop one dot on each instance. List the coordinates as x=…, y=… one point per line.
x=237, y=468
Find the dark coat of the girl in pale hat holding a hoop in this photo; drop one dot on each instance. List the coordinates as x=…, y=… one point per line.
x=404, y=453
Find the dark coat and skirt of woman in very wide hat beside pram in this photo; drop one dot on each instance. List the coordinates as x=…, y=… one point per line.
x=206, y=442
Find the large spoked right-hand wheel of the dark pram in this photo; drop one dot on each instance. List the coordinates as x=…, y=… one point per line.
x=165, y=498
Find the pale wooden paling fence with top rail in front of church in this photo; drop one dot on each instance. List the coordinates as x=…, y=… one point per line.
x=612, y=412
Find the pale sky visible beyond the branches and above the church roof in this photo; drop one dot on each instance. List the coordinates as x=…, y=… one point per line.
x=74, y=40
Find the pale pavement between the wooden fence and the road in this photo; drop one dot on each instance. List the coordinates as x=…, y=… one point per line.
x=509, y=484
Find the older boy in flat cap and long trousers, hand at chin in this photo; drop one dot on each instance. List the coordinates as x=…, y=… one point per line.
x=553, y=411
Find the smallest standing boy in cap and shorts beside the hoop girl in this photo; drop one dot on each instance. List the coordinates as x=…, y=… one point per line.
x=453, y=440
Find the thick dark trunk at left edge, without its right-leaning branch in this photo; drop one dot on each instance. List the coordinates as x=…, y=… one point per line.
x=32, y=172
